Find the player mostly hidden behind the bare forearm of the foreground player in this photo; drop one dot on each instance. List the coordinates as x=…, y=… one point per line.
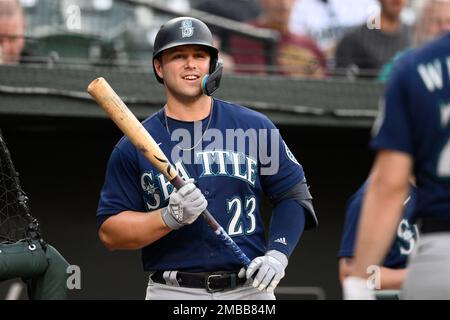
x=393, y=270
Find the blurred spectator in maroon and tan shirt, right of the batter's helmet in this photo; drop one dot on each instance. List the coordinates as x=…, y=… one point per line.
x=296, y=56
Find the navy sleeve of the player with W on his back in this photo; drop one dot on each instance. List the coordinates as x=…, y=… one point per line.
x=392, y=130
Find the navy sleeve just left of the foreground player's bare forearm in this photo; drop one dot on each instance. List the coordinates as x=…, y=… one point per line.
x=352, y=213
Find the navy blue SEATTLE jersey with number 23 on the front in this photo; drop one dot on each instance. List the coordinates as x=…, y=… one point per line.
x=230, y=178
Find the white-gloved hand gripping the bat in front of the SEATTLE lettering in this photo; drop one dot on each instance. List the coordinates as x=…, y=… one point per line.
x=185, y=205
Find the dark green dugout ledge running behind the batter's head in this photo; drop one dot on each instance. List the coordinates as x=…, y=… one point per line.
x=60, y=90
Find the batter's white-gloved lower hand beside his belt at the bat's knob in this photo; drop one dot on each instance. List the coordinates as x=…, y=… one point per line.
x=270, y=269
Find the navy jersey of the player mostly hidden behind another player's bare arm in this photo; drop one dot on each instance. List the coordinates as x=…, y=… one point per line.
x=406, y=235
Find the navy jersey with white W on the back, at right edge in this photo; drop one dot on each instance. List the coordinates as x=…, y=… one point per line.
x=416, y=121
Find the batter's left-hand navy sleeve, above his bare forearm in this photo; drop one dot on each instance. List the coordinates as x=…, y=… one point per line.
x=120, y=191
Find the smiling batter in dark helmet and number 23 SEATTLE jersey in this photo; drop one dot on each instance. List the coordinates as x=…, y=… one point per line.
x=139, y=209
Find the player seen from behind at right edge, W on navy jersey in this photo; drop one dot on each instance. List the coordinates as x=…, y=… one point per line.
x=413, y=138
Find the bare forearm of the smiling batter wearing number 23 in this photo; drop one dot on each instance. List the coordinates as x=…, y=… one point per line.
x=132, y=230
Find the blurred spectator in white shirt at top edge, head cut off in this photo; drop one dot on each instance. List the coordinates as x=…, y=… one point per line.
x=325, y=21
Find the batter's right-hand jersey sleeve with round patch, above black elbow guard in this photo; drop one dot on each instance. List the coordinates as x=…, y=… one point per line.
x=279, y=171
